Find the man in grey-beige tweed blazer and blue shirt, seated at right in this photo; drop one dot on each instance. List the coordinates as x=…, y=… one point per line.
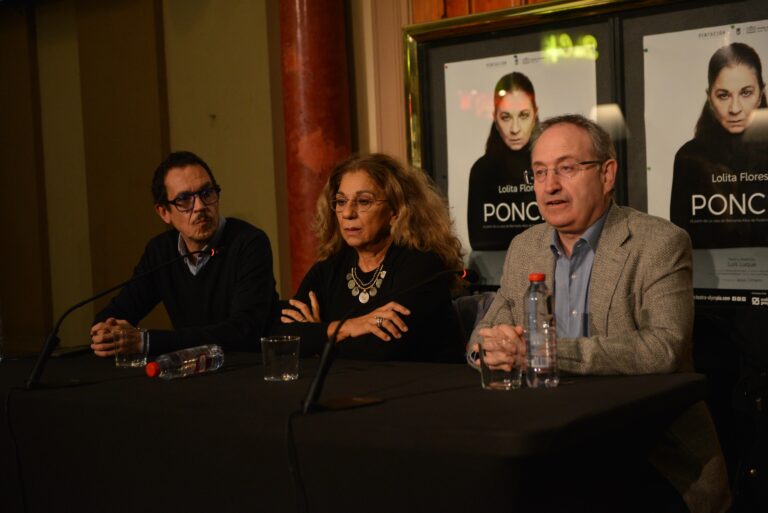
x=623, y=290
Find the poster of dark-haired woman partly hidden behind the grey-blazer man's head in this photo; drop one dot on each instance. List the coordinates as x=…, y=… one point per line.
x=492, y=107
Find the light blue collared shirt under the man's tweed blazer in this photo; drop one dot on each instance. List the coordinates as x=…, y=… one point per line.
x=572, y=277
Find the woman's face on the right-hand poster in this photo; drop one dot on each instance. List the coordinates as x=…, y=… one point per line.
x=735, y=96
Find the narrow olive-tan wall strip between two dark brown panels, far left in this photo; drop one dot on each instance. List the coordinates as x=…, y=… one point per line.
x=66, y=192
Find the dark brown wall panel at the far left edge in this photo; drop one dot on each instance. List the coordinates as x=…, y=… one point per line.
x=25, y=290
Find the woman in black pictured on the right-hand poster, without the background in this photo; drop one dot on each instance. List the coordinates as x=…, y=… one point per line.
x=716, y=193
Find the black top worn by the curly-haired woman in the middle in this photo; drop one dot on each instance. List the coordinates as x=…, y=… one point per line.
x=433, y=330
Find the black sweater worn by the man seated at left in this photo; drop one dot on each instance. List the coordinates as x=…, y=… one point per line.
x=231, y=301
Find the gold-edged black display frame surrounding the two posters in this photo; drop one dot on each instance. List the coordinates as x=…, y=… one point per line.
x=626, y=23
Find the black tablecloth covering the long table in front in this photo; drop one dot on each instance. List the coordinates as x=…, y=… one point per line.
x=97, y=438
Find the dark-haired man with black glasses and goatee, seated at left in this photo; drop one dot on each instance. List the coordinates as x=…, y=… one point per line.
x=223, y=292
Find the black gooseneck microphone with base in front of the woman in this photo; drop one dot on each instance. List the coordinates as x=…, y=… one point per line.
x=310, y=403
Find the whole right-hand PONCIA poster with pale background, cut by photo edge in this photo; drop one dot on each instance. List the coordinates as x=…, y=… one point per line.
x=708, y=163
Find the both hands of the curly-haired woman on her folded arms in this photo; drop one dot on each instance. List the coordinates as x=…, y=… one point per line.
x=384, y=322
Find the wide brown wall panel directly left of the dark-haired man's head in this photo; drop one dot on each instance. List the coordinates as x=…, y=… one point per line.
x=125, y=128
